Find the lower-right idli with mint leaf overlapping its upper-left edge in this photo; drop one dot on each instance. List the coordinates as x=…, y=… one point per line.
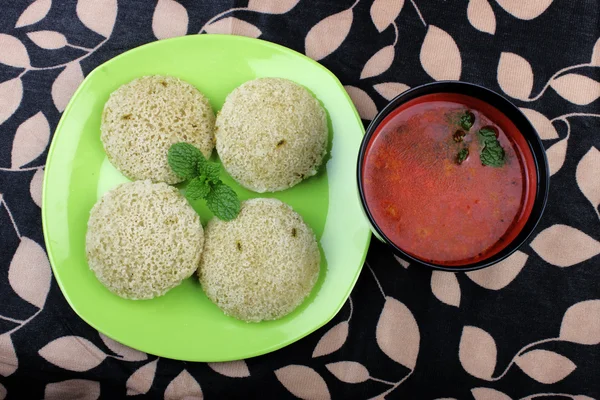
x=261, y=265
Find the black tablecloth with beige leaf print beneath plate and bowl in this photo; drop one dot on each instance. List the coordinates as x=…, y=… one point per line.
x=526, y=328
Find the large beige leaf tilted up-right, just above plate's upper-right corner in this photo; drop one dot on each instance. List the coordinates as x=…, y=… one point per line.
x=328, y=34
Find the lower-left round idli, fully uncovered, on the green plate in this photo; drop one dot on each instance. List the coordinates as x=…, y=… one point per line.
x=143, y=239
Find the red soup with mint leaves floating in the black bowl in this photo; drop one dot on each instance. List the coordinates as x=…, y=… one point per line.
x=434, y=200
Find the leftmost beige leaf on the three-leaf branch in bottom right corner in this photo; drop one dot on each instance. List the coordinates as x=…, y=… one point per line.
x=477, y=352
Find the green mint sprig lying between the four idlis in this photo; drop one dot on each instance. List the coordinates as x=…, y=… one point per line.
x=189, y=163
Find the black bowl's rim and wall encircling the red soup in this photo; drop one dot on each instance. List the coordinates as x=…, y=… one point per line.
x=523, y=125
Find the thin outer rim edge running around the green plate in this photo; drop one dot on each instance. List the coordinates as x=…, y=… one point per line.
x=52, y=149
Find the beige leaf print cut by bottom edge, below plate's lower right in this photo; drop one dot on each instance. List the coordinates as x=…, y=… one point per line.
x=296, y=378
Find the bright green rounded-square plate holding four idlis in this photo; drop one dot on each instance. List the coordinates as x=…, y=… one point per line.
x=184, y=324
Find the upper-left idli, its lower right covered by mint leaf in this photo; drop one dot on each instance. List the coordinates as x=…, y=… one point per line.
x=143, y=118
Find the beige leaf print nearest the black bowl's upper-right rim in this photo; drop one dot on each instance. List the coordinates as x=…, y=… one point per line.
x=515, y=76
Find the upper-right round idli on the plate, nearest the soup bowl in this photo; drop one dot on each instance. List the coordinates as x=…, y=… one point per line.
x=271, y=133
